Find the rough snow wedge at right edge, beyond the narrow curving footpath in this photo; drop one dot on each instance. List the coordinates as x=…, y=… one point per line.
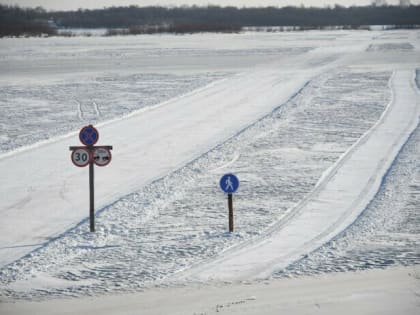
x=386, y=233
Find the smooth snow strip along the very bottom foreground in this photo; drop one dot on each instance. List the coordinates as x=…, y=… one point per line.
x=394, y=291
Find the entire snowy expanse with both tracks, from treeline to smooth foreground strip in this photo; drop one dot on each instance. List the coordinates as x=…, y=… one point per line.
x=292, y=114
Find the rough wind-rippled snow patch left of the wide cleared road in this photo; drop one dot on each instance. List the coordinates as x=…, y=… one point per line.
x=43, y=111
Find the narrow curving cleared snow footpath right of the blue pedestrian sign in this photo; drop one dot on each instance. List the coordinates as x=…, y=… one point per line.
x=339, y=197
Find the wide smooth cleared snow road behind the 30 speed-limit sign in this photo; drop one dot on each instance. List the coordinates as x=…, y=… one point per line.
x=41, y=187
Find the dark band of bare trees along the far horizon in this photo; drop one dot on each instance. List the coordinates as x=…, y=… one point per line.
x=15, y=21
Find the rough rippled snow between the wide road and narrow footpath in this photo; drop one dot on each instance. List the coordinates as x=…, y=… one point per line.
x=181, y=219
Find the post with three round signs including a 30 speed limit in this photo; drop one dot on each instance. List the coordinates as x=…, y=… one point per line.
x=90, y=154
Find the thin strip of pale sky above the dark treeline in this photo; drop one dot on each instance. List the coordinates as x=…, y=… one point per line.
x=95, y=4
